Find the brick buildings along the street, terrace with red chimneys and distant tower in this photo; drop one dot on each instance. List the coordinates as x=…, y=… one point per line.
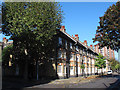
x=71, y=53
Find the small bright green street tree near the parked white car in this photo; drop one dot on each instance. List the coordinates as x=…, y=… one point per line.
x=100, y=62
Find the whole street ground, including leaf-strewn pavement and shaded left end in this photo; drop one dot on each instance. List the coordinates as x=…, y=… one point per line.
x=105, y=82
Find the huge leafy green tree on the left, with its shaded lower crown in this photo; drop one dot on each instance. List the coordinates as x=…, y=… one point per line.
x=32, y=26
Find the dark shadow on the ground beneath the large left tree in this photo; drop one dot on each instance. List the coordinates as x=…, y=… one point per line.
x=19, y=84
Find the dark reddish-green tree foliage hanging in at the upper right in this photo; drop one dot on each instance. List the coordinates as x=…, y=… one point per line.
x=108, y=33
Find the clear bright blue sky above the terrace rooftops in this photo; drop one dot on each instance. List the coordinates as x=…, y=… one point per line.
x=82, y=18
